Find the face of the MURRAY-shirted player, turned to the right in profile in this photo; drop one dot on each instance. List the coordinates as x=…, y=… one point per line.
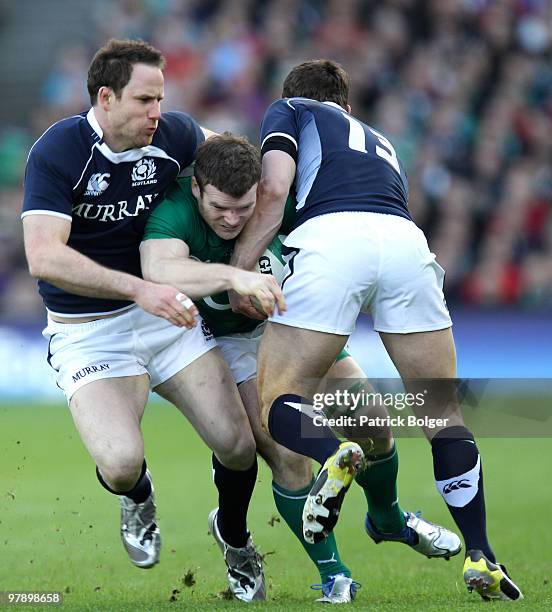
x=133, y=118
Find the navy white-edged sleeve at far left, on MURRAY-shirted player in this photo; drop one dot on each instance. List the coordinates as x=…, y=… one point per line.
x=47, y=189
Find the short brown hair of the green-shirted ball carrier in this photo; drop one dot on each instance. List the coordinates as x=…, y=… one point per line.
x=228, y=162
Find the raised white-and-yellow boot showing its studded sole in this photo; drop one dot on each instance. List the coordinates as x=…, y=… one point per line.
x=325, y=498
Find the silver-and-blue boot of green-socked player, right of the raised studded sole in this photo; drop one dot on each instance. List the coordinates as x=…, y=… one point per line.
x=422, y=536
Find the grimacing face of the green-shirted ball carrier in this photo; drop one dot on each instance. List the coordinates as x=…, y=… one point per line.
x=225, y=215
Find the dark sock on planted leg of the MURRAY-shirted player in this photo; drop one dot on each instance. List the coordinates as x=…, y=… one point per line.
x=235, y=489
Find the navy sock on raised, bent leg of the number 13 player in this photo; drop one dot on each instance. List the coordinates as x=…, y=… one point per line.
x=293, y=428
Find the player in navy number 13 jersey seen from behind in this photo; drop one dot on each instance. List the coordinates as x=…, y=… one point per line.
x=355, y=248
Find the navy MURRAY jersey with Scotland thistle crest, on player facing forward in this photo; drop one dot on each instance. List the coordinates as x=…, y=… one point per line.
x=72, y=174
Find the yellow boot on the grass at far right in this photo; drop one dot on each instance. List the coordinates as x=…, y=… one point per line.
x=489, y=579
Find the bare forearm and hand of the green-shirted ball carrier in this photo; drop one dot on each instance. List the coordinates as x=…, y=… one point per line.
x=166, y=260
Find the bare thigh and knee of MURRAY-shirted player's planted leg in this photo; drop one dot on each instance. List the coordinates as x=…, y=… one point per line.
x=205, y=392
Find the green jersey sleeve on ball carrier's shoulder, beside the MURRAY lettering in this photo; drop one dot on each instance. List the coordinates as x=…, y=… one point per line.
x=173, y=217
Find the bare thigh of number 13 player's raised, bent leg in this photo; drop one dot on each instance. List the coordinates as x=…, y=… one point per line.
x=293, y=360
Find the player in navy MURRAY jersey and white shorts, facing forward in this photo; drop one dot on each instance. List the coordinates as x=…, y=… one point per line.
x=90, y=184
